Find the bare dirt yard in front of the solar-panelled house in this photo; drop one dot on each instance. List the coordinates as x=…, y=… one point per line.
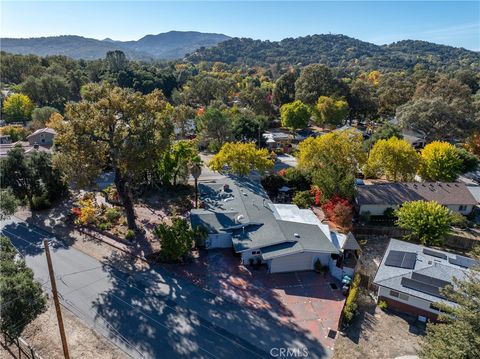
x=378, y=334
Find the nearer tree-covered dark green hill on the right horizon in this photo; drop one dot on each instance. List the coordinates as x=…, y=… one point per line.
x=338, y=51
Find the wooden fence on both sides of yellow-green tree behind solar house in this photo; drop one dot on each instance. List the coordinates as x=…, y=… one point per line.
x=453, y=240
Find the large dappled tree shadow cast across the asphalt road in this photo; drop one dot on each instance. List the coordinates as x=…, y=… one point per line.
x=164, y=316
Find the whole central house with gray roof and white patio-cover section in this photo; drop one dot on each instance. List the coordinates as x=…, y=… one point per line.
x=238, y=213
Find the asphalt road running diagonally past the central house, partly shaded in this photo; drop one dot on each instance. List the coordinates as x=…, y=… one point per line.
x=150, y=313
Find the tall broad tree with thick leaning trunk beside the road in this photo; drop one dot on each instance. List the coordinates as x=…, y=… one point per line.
x=116, y=128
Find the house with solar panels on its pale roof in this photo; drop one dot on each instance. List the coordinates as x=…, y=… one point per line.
x=410, y=277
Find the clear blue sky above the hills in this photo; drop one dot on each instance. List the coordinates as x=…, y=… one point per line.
x=451, y=23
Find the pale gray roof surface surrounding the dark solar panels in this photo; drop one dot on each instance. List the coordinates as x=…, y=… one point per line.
x=391, y=277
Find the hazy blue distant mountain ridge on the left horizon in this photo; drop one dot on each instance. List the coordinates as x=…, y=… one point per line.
x=167, y=46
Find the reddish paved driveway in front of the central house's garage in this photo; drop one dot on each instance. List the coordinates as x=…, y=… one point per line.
x=304, y=299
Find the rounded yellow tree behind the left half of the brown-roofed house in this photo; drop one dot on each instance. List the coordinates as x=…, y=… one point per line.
x=395, y=159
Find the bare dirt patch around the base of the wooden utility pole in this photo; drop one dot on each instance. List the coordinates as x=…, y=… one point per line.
x=43, y=335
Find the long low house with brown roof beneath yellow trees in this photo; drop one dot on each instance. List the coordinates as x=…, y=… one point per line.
x=376, y=198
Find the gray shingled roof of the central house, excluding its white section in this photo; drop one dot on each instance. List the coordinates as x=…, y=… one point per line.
x=246, y=208
